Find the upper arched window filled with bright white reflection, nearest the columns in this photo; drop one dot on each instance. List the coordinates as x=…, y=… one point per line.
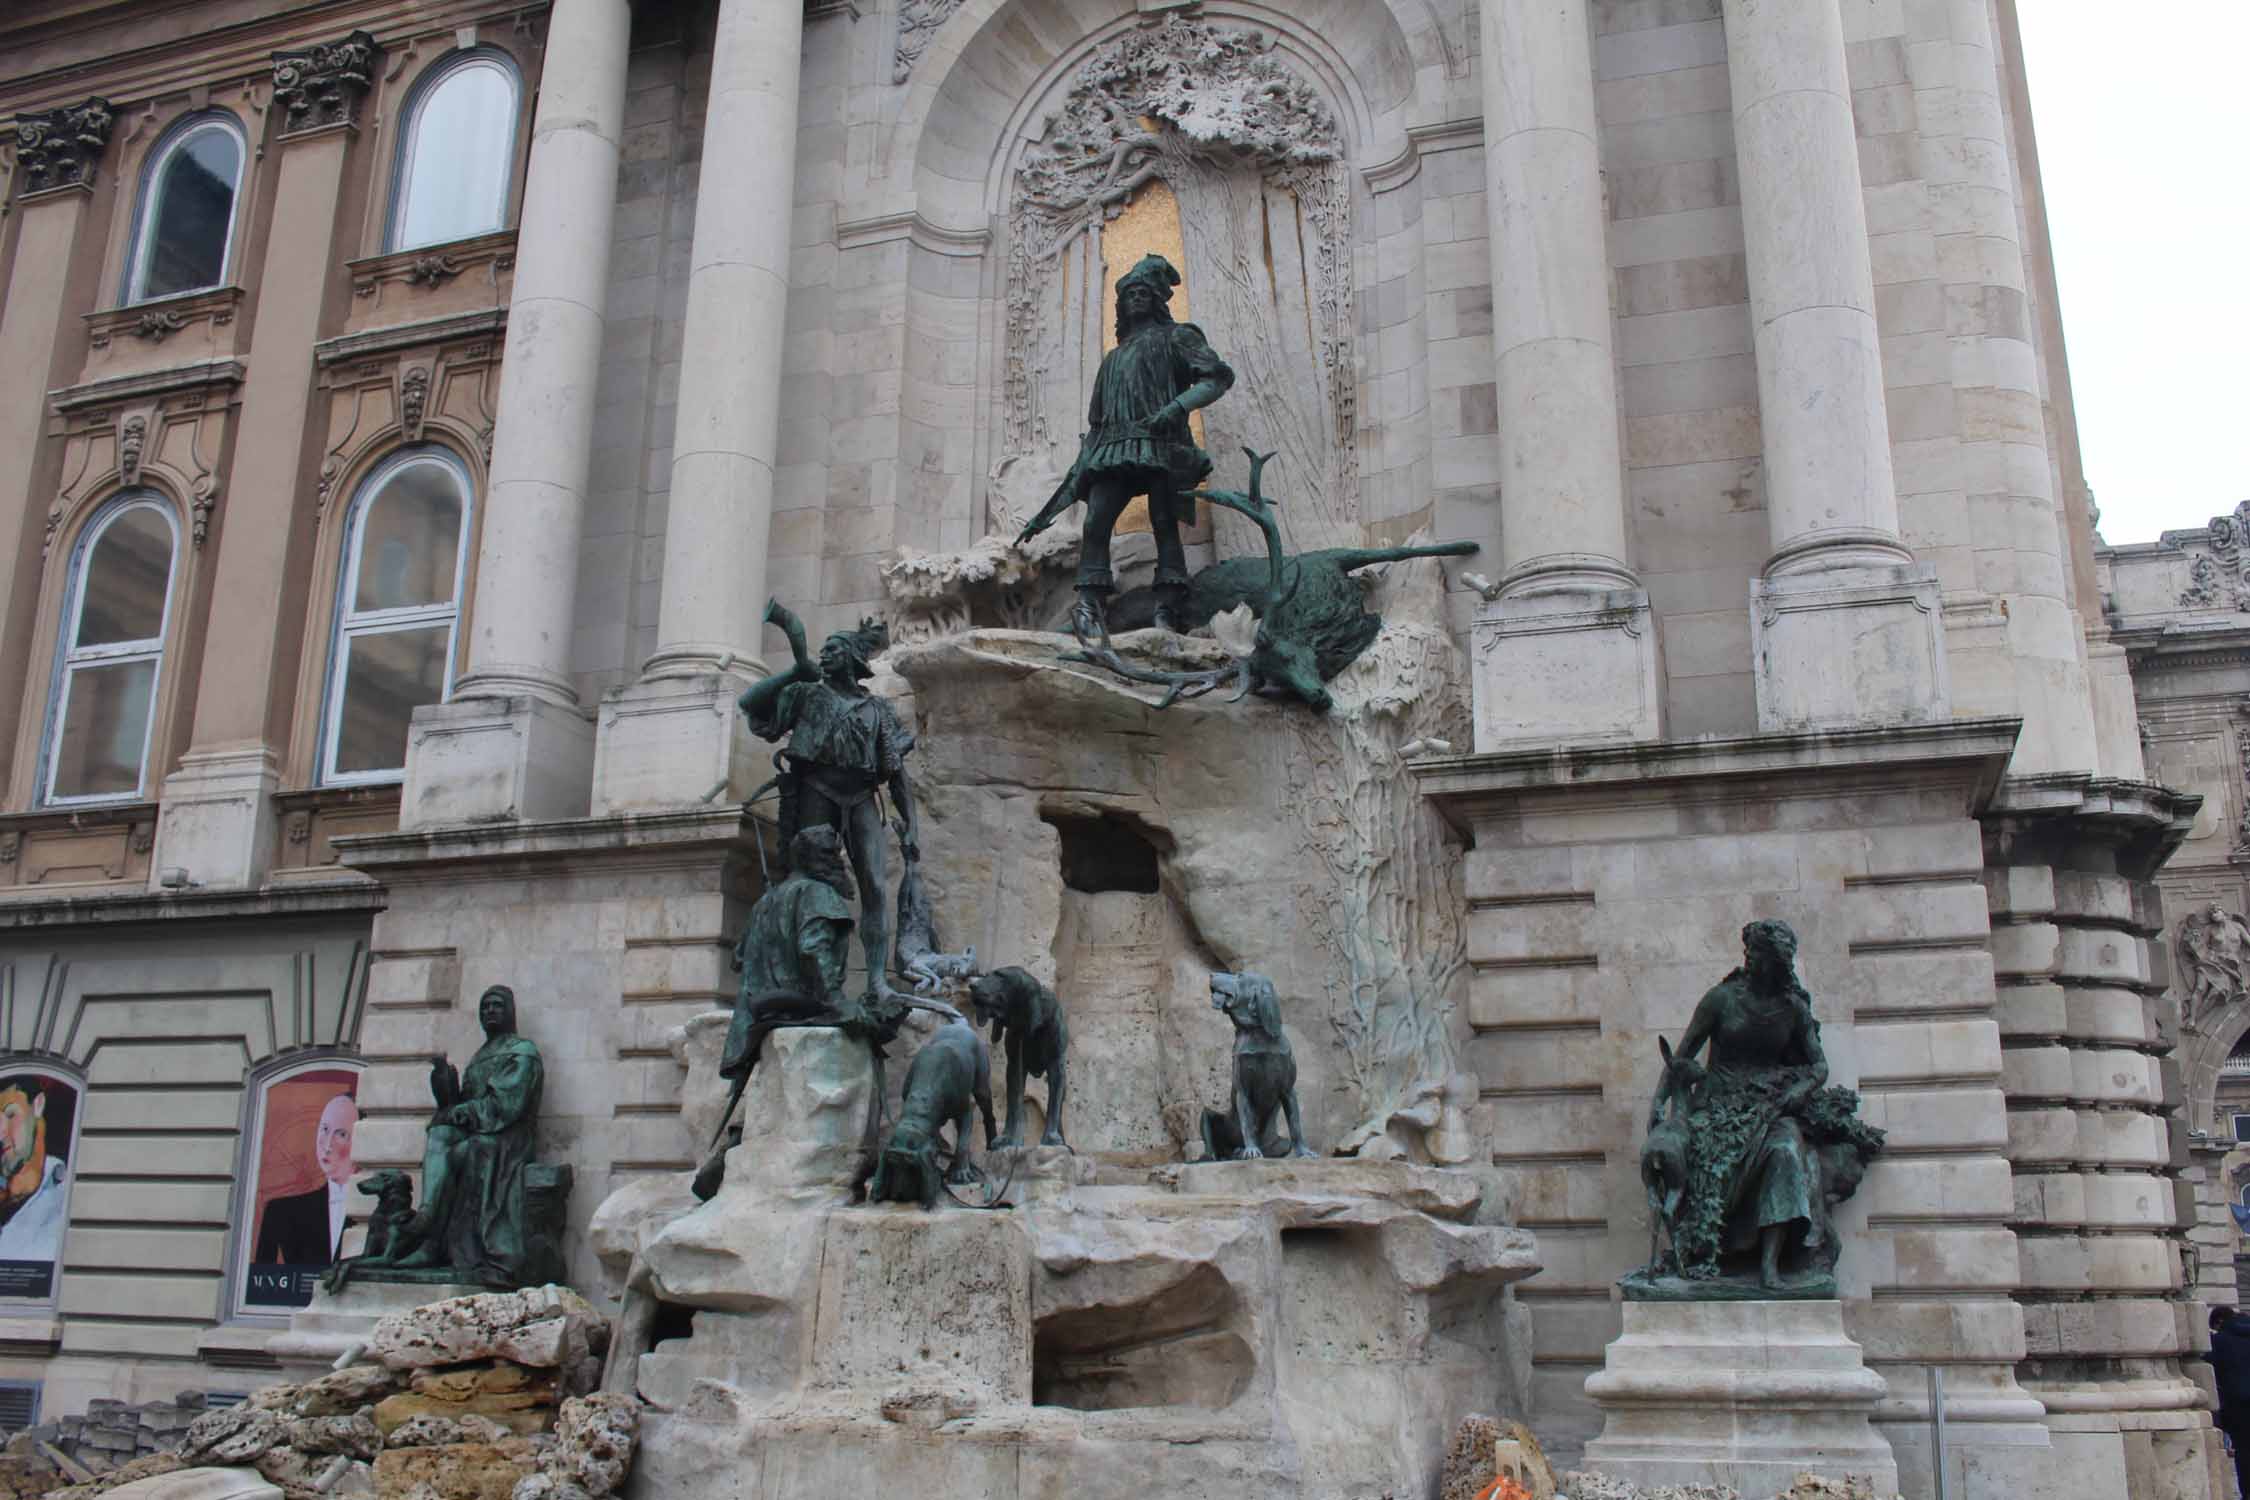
x=458, y=154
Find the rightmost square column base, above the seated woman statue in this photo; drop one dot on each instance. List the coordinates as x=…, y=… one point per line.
x=1848, y=649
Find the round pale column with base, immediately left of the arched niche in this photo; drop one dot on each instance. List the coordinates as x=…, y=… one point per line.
x=674, y=737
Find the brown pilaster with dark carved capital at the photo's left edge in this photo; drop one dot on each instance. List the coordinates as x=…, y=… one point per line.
x=55, y=181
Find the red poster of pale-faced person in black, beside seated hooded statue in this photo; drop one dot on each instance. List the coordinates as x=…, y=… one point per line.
x=300, y=1184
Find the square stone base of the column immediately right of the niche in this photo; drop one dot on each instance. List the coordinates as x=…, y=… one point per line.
x=1567, y=669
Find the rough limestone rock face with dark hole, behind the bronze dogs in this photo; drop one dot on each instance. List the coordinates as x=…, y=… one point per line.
x=1122, y=853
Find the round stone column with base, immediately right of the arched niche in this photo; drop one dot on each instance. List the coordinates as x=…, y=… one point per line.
x=1581, y=653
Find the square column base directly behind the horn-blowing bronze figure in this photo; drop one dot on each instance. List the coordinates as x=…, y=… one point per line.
x=674, y=743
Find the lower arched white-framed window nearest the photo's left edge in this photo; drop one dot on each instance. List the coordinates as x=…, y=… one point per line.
x=111, y=653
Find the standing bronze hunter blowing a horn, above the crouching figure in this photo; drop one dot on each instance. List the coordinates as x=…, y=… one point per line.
x=845, y=748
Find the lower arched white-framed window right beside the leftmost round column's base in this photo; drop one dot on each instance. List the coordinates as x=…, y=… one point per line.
x=397, y=613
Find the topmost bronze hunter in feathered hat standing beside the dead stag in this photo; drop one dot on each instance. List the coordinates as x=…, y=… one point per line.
x=1140, y=444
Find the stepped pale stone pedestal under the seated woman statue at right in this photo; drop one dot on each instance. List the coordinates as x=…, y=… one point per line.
x=1738, y=1393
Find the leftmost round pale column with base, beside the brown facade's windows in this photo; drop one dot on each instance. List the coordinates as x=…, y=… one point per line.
x=516, y=743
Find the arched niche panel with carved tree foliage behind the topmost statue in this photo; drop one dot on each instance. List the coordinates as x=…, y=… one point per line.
x=1254, y=159
